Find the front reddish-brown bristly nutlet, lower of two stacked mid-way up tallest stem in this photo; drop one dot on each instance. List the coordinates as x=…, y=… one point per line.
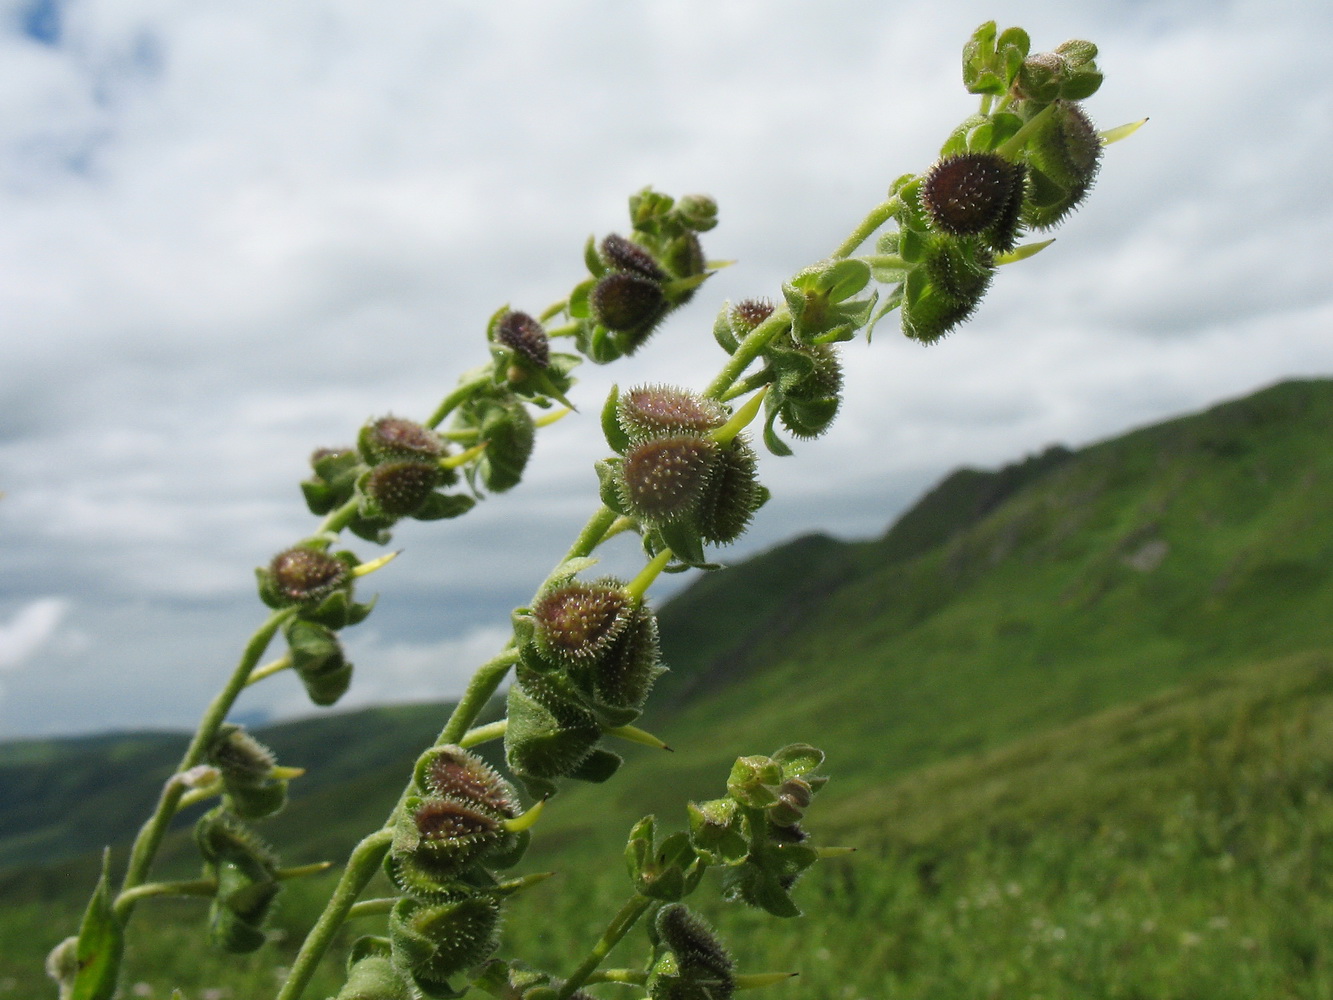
x=666, y=478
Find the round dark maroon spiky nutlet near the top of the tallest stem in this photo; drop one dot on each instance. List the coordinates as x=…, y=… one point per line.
x=970, y=194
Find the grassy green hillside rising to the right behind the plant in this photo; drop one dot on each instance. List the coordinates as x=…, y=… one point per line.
x=1099, y=677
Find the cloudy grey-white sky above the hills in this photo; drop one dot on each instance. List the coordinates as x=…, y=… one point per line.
x=234, y=233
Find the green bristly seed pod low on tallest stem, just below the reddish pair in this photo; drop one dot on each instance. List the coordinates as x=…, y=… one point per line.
x=434, y=942
